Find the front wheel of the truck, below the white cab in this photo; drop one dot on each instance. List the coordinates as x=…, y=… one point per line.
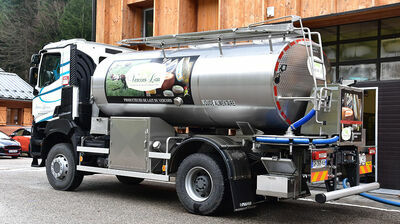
x=61, y=168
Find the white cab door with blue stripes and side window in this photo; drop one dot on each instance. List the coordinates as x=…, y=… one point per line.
x=53, y=75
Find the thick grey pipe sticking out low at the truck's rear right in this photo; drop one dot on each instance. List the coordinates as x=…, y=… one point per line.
x=328, y=196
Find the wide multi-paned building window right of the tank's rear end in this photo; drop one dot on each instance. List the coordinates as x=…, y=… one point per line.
x=367, y=51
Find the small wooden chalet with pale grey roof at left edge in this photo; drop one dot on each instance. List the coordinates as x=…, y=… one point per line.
x=15, y=102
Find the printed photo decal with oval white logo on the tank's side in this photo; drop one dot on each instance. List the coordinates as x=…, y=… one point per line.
x=154, y=80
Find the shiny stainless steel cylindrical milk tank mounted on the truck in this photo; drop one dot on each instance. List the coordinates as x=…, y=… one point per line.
x=200, y=87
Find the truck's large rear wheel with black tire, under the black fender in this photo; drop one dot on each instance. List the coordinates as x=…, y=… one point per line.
x=201, y=184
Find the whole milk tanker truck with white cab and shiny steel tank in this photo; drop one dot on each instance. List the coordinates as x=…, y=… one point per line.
x=233, y=116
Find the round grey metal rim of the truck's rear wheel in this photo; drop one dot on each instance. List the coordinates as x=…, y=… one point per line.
x=198, y=184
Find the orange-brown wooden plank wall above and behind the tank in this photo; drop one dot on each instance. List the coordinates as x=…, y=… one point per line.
x=120, y=19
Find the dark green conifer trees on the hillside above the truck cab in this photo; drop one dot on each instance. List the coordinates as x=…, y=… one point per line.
x=27, y=25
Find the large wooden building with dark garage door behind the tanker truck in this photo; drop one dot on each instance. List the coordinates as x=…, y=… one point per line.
x=361, y=39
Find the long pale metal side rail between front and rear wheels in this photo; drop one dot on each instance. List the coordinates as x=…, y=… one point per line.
x=150, y=176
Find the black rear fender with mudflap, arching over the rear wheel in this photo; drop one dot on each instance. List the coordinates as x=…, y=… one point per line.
x=235, y=160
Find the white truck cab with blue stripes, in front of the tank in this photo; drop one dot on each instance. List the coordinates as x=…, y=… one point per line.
x=55, y=67
